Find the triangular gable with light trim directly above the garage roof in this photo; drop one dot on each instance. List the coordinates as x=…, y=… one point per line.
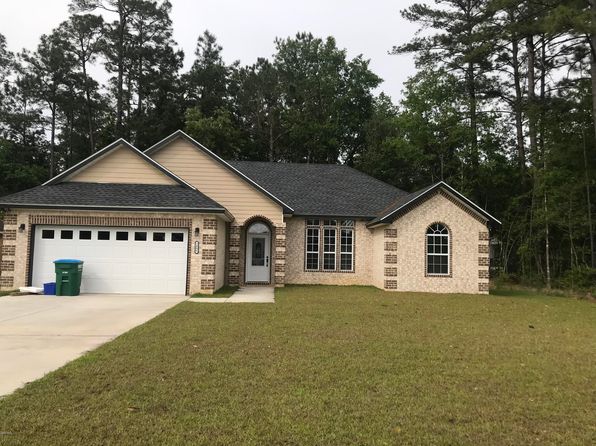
x=119, y=163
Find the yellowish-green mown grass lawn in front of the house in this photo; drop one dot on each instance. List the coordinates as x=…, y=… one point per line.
x=329, y=366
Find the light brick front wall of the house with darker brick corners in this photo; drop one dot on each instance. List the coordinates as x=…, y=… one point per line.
x=391, y=257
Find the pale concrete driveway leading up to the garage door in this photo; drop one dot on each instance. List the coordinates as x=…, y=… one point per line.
x=39, y=334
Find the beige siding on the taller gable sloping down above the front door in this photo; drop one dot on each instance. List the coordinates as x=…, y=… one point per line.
x=217, y=182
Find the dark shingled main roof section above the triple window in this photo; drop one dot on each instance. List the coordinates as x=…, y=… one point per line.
x=322, y=189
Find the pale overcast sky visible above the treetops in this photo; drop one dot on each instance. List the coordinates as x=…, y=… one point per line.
x=247, y=29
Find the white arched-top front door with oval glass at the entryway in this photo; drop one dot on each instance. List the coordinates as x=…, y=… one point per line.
x=258, y=255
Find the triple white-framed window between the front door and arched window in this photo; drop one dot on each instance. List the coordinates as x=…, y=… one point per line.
x=329, y=245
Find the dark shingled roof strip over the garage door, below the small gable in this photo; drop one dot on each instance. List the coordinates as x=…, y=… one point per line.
x=77, y=195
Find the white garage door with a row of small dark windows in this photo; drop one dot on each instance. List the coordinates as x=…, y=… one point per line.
x=117, y=260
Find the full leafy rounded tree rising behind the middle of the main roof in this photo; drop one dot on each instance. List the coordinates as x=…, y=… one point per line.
x=327, y=99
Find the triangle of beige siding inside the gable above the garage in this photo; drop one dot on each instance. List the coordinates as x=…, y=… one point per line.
x=121, y=165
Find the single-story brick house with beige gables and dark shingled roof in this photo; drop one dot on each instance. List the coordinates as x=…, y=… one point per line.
x=178, y=219
